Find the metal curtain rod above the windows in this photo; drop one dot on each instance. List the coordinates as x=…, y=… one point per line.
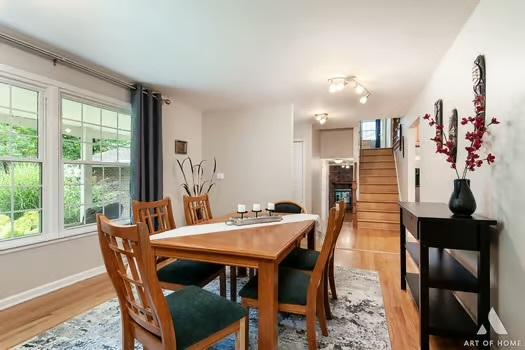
x=56, y=58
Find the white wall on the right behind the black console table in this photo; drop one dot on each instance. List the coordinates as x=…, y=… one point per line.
x=495, y=29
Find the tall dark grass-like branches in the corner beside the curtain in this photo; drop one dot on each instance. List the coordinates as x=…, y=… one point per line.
x=197, y=181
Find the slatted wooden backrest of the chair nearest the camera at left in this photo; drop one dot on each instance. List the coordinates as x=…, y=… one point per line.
x=129, y=260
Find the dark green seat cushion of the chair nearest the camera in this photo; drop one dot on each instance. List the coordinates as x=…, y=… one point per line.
x=197, y=314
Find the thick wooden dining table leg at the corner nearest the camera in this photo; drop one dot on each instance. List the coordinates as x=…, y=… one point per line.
x=268, y=284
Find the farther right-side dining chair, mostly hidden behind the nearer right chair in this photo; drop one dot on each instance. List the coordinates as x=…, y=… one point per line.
x=306, y=259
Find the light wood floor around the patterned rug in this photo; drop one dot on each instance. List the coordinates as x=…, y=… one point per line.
x=364, y=249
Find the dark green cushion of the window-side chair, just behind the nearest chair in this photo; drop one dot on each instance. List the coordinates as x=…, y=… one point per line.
x=187, y=273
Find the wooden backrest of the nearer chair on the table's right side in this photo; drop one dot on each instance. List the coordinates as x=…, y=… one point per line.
x=335, y=219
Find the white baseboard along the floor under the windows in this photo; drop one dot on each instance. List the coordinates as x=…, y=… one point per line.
x=50, y=287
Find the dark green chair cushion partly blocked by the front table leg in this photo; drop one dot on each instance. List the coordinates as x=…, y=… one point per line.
x=293, y=287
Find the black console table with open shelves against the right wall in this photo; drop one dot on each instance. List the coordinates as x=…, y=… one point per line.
x=435, y=229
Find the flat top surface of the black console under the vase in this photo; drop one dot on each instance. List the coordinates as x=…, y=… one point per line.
x=428, y=210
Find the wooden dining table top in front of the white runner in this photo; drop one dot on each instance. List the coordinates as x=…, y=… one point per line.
x=267, y=242
